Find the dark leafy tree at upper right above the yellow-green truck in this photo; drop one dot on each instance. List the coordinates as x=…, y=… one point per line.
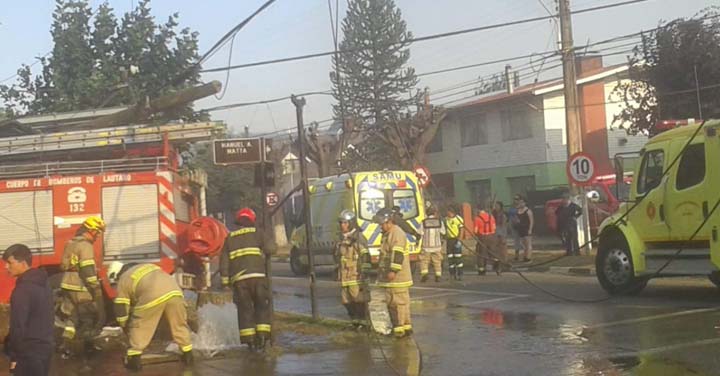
x=662, y=74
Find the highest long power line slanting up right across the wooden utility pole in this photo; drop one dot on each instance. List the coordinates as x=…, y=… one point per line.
x=419, y=39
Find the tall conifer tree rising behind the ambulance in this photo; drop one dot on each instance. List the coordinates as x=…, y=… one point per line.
x=374, y=79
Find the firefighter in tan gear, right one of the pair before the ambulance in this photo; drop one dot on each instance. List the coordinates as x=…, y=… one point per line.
x=394, y=273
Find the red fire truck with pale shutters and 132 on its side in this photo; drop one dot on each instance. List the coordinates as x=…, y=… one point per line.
x=152, y=206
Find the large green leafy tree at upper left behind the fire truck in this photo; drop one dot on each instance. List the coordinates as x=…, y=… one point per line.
x=98, y=61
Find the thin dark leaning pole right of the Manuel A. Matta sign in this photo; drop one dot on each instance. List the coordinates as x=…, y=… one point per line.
x=299, y=104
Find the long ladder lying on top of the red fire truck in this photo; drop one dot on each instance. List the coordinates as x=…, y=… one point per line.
x=94, y=138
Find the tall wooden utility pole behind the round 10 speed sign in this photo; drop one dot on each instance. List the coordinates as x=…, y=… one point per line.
x=573, y=128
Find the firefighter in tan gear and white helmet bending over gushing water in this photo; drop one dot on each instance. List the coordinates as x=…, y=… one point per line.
x=145, y=293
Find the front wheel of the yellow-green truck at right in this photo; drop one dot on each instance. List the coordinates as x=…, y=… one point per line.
x=615, y=270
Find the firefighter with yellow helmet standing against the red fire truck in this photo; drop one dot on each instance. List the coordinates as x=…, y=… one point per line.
x=80, y=287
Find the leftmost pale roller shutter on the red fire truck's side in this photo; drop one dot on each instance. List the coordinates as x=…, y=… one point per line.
x=27, y=218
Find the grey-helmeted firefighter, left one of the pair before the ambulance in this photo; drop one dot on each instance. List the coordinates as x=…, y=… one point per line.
x=353, y=261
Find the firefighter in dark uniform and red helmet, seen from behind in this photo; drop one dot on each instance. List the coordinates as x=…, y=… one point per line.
x=242, y=266
